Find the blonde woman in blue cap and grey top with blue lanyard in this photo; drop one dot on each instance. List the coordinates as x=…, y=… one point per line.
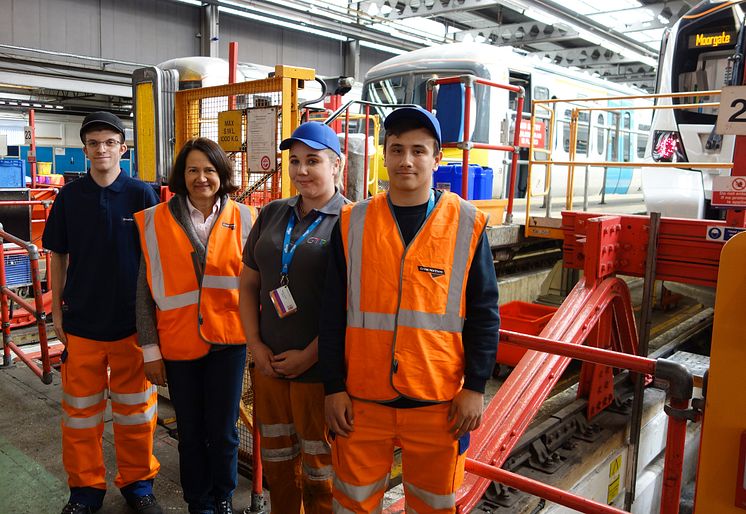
x=285, y=261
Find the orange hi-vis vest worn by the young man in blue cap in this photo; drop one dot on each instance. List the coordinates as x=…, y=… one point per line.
x=406, y=306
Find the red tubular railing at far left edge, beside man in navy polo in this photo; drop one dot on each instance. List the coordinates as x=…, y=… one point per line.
x=37, y=310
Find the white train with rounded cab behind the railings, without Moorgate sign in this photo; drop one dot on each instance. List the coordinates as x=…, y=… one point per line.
x=620, y=135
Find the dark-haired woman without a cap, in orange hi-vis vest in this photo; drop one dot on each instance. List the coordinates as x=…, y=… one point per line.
x=188, y=323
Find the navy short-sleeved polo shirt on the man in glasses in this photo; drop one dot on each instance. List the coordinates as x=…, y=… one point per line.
x=95, y=226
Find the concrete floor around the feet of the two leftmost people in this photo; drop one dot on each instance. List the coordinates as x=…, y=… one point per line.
x=32, y=479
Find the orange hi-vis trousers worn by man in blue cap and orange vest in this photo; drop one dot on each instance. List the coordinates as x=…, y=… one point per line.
x=432, y=462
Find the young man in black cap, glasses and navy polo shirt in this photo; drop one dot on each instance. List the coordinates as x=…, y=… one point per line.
x=95, y=259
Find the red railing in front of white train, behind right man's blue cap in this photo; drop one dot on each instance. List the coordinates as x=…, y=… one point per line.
x=466, y=144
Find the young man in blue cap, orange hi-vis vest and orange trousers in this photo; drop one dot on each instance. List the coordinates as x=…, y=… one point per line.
x=409, y=331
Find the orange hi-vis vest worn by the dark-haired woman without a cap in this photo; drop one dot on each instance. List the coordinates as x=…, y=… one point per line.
x=194, y=307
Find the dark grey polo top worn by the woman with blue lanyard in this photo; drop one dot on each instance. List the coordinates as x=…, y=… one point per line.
x=263, y=253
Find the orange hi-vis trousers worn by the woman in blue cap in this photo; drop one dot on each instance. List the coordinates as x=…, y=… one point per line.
x=296, y=452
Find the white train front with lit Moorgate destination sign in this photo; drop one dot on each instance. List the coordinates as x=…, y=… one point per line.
x=702, y=51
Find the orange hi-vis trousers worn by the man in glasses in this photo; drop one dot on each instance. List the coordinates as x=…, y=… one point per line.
x=86, y=384
